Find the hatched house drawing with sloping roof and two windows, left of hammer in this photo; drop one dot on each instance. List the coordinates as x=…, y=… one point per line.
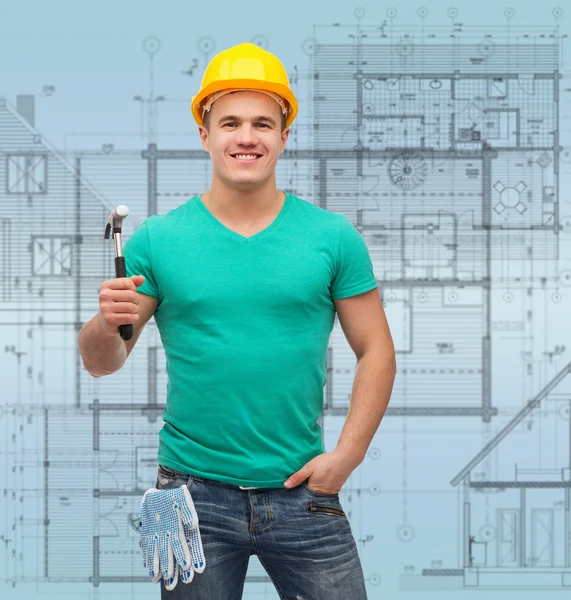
x=53, y=219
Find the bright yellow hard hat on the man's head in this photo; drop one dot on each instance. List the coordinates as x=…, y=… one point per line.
x=245, y=67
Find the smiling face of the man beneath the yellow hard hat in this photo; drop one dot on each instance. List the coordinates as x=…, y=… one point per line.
x=244, y=138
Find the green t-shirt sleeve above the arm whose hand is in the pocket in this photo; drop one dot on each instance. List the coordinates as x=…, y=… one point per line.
x=355, y=273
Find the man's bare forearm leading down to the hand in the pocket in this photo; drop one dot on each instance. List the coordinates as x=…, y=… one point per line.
x=372, y=388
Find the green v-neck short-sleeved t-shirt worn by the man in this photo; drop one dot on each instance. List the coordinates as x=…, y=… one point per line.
x=245, y=324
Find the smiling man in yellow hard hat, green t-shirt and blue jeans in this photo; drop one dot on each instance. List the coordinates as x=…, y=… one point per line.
x=244, y=282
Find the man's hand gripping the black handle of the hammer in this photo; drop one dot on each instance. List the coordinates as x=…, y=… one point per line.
x=119, y=303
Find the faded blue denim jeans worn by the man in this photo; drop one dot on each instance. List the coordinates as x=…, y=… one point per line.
x=301, y=537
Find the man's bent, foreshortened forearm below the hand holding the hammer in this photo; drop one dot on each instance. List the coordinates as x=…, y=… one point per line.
x=101, y=353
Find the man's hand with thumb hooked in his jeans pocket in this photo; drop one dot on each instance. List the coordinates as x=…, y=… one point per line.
x=326, y=473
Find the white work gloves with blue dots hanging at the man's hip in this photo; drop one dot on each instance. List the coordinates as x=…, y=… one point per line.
x=169, y=533
